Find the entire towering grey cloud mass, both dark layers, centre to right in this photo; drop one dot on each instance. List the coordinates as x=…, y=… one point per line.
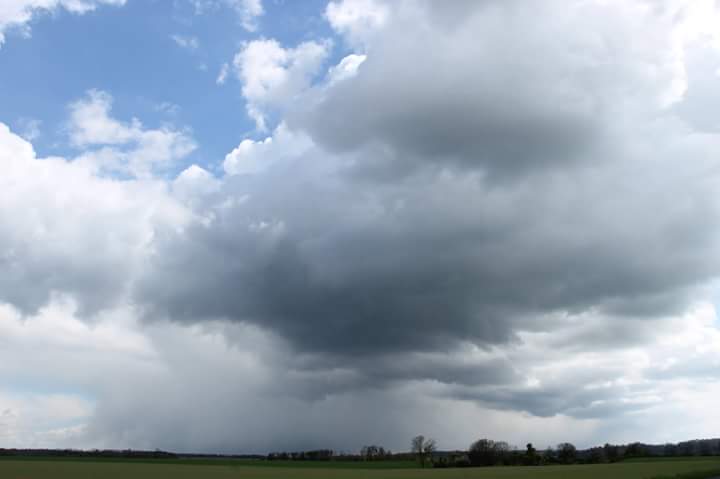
x=433, y=210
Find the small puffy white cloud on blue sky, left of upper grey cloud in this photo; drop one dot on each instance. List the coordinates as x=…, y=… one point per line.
x=272, y=76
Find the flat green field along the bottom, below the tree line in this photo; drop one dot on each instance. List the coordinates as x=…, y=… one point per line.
x=91, y=469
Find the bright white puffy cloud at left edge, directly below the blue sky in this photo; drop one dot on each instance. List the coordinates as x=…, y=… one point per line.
x=77, y=234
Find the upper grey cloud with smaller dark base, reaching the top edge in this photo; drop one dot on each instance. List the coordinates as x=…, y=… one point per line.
x=447, y=94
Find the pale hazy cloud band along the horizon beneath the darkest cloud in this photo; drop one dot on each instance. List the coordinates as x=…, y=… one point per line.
x=288, y=405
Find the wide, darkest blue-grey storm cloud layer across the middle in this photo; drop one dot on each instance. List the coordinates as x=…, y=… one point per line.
x=429, y=262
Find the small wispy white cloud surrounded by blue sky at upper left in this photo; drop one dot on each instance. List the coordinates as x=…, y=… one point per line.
x=124, y=147
